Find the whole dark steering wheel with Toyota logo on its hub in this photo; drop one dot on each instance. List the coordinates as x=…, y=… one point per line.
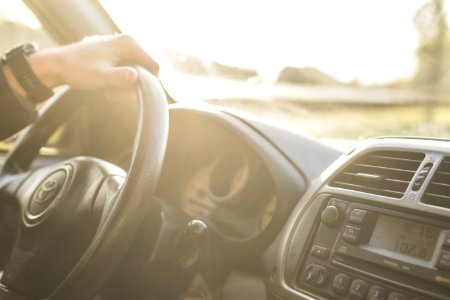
x=77, y=219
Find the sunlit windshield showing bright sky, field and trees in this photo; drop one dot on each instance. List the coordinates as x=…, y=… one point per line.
x=347, y=69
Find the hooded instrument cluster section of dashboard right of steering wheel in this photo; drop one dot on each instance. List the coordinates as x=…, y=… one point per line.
x=229, y=171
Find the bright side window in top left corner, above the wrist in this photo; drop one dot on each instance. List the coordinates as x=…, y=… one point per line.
x=19, y=25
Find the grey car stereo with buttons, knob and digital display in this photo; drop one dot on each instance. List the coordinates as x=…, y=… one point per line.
x=368, y=252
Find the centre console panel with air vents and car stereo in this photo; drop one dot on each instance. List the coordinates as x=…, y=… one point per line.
x=352, y=241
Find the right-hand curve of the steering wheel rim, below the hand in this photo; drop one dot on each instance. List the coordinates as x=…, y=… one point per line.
x=118, y=227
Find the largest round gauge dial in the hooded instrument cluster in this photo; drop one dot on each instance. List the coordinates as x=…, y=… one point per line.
x=229, y=176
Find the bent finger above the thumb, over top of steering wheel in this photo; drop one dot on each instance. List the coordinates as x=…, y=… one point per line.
x=131, y=52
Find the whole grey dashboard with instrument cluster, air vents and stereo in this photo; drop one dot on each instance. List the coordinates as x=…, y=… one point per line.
x=292, y=218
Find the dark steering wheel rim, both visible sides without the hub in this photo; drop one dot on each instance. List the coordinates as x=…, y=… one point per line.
x=116, y=230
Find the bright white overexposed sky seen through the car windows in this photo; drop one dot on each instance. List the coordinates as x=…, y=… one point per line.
x=371, y=41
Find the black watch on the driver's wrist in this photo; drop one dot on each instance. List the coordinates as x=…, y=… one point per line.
x=16, y=59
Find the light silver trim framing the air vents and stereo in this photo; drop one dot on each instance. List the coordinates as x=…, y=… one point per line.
x=435, y=150
